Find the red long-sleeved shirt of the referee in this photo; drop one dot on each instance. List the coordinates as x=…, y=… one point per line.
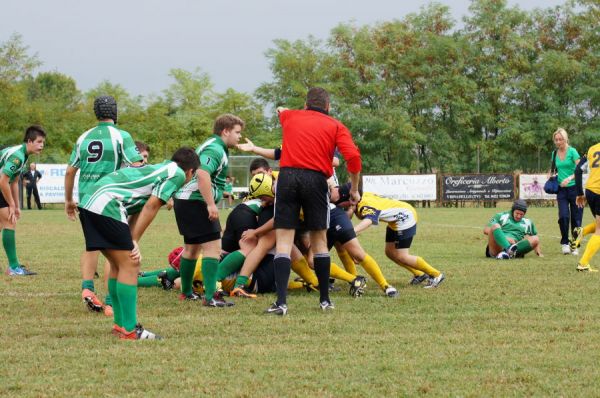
x=309, y=141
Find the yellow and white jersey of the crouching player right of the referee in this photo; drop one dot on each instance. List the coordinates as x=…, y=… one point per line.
x=397, y=214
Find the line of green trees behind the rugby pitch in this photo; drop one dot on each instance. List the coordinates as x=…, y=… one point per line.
x=424, y=93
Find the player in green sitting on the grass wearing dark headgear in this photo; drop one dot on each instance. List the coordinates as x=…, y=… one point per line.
x=511, y=235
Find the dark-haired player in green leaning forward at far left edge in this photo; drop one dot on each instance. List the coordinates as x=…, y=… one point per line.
x=12, y=162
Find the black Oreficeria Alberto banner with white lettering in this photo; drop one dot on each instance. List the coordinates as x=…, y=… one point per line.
x=478, y=187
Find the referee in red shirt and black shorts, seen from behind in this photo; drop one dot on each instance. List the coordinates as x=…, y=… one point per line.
x=310, y=137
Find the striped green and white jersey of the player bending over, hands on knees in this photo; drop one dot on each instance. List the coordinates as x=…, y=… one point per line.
x=125, y=192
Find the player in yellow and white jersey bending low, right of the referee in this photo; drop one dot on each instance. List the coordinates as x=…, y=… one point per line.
x=401, y=218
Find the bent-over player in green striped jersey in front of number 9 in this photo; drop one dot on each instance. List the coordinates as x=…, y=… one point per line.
x=103, y=214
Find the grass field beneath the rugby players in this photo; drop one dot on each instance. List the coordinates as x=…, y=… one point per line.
x=512, y=328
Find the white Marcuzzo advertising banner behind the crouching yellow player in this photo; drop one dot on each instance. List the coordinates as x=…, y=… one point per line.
x=402, y=187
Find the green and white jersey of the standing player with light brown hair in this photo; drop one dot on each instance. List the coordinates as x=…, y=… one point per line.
x=214, y=159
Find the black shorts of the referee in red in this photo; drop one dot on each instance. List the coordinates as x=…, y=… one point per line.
x=306, y=189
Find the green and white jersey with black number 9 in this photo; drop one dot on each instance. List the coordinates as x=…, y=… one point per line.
x=100, y=151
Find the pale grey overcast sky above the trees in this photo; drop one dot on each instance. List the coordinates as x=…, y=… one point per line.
x=135, y=43
